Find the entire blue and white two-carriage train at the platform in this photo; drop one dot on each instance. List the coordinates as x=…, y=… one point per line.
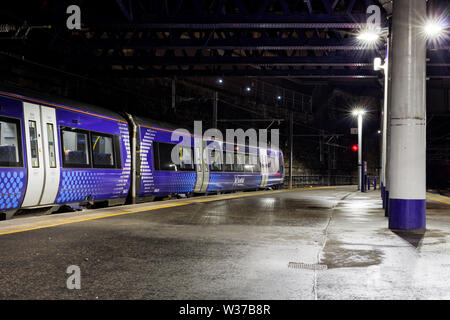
x=57, y=153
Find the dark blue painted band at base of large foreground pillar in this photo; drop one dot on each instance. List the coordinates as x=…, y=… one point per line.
x=407, y=214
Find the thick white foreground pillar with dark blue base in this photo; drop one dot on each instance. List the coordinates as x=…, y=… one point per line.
x=407, y=156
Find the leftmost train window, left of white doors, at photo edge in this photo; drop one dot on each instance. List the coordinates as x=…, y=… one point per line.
x=10, y=143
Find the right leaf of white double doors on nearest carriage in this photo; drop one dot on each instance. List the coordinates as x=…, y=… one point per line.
x=51, y=152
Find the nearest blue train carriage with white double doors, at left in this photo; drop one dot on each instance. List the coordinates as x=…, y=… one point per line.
x=52, y=154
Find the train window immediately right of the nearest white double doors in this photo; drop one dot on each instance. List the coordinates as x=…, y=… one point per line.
x=75, y=148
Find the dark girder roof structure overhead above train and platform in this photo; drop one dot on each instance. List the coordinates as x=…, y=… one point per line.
x=185, y=38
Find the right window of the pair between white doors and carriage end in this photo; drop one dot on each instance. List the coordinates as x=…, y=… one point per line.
x=102, y=150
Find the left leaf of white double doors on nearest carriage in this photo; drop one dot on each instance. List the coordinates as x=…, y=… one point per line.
x=35, y=161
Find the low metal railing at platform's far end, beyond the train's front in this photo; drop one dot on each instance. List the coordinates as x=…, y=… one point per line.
x=321, y=180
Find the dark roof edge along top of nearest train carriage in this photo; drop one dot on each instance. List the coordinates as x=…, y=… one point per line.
x=52, y=100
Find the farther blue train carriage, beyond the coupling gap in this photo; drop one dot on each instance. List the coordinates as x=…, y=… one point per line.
x=249, y=168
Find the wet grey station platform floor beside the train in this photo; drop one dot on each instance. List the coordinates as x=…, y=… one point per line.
x=311, y=243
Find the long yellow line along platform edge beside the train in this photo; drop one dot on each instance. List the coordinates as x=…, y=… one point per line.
x=163, y=206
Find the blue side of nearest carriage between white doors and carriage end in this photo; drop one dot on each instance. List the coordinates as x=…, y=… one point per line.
x=92, y=184
